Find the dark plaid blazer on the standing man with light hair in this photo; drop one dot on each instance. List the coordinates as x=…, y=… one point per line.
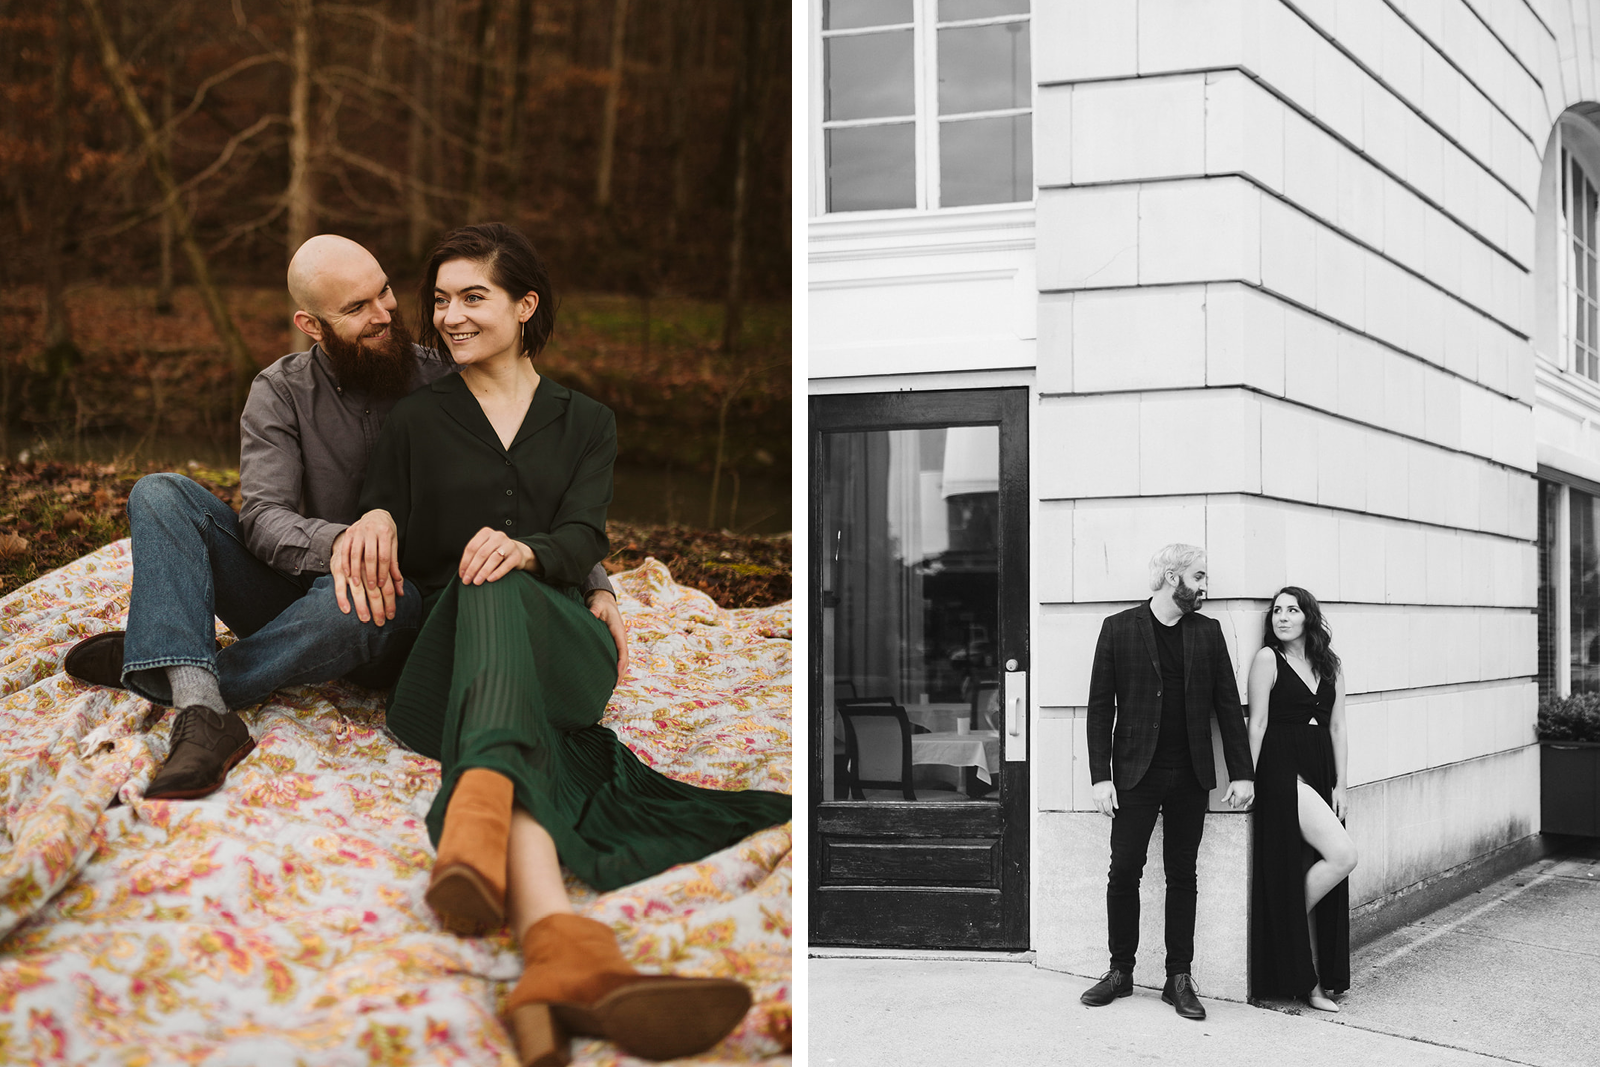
x=1126, y=700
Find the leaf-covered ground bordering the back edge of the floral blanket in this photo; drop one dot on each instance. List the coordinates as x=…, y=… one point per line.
x=52, y=514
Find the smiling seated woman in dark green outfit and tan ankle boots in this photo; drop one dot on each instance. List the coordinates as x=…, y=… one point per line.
x=498, y=484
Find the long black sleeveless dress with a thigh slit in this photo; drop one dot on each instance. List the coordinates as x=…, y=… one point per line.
x=1297, y=745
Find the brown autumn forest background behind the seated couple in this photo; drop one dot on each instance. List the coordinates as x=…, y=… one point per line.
x=162, y=161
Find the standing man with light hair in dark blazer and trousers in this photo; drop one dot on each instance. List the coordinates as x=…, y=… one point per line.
x=1161, y=676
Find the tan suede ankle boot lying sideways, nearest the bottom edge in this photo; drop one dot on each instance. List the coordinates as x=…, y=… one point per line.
x=577, y=981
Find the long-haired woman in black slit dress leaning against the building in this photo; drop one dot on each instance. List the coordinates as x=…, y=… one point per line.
x=1300, y=938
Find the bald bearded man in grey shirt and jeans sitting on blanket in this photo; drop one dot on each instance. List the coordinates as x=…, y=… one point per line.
x=311, y=588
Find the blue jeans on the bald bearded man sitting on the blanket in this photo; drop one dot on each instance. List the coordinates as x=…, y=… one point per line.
x=191, y=565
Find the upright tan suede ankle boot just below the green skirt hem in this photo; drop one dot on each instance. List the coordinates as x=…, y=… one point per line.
x=468, y=889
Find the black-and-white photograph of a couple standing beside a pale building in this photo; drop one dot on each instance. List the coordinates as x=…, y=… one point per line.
x=1204, y=532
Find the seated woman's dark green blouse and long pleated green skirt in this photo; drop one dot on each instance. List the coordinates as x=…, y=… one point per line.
x=514, y=676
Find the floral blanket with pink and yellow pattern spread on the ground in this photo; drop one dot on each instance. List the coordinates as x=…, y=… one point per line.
x=281, y=921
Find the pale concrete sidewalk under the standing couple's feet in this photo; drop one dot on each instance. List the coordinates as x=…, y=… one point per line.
x=1510, y=975
